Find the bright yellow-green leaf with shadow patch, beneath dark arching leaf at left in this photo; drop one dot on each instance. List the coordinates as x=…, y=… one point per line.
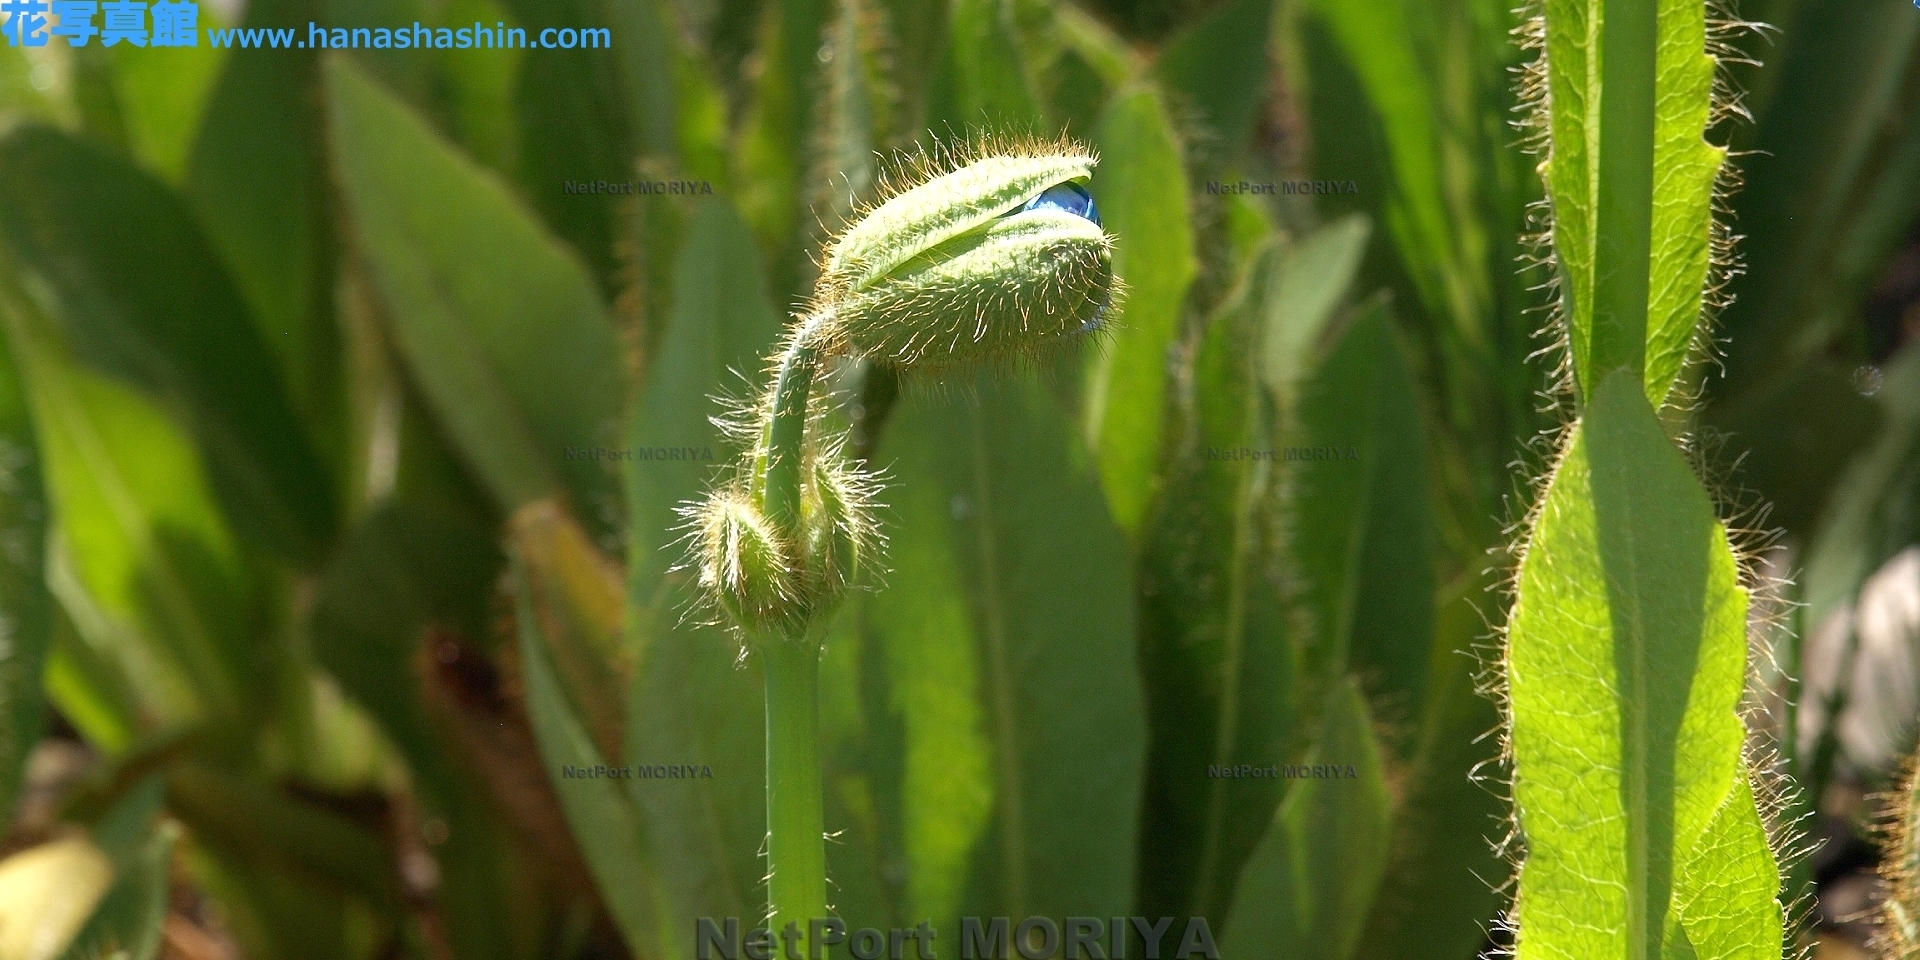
x=143, y=560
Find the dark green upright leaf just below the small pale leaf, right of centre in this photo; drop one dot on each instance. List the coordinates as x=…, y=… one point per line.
x=1360, y=521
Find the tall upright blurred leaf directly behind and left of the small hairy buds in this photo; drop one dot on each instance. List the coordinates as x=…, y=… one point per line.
x=692, y=700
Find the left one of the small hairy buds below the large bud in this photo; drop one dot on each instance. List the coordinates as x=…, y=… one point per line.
x=744, y=567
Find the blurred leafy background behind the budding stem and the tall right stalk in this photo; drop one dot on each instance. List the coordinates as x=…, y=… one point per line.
x=308, y=594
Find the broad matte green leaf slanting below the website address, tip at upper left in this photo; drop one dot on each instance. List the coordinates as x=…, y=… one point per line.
x=498, y=324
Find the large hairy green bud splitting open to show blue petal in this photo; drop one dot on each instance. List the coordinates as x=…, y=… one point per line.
x=999, y=258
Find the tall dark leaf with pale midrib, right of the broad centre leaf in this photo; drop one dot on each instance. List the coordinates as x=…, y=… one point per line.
x=1214, y=629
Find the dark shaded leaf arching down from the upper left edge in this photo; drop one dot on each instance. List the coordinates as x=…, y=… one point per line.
x=116, y=260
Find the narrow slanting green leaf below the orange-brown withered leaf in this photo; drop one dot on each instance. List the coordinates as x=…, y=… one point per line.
x=598, y=809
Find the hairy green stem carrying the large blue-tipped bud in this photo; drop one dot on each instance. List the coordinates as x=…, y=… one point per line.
x=796, y=830
